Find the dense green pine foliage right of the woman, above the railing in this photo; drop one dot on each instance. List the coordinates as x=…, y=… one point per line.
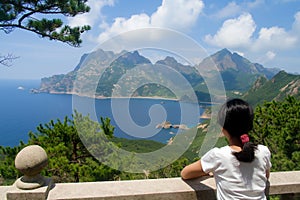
x=277, y=125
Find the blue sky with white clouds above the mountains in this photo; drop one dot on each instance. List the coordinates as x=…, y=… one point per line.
x=263, y=31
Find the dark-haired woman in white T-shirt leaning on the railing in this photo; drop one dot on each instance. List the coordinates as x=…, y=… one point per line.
x=240, y=169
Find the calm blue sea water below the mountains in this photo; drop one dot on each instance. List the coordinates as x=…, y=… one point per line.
x=134, y=118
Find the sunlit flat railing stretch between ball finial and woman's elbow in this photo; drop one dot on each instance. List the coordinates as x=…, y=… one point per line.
x=150, y=189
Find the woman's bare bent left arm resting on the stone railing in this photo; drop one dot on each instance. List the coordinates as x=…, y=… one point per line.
x=193, y=170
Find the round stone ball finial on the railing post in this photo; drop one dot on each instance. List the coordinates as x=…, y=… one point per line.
x=30, y=161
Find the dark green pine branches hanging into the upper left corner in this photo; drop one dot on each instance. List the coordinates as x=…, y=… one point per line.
x=26, y=15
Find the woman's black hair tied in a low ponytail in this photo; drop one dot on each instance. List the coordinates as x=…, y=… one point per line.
x=236, y=117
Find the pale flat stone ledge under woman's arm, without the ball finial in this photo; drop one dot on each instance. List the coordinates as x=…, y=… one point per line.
x=154, y=189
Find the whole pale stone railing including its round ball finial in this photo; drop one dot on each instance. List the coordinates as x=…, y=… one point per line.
x=32, y=186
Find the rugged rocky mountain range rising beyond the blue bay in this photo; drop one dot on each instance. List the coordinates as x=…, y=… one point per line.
x=102, y=73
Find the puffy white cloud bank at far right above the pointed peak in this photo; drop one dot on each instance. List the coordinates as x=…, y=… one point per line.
x=239, y=33
